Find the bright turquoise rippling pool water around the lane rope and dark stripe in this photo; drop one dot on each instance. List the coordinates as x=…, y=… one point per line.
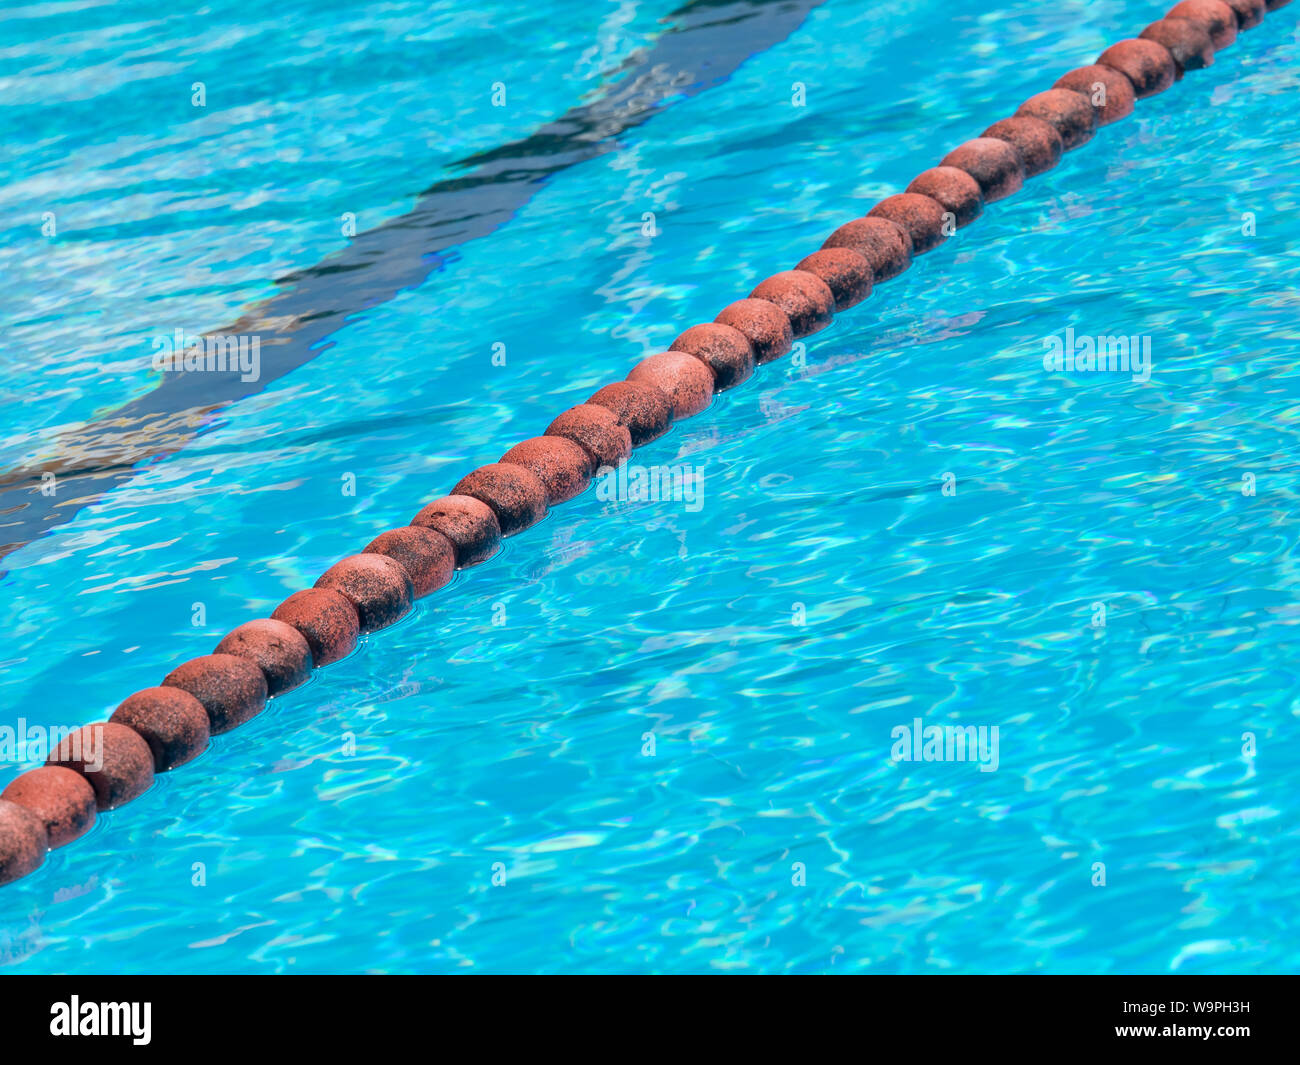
x=499, y=733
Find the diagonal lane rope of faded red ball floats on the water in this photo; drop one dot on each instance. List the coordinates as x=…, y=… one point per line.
x=109, y=764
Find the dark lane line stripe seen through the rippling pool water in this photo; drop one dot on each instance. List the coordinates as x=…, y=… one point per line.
x=704, y=45
